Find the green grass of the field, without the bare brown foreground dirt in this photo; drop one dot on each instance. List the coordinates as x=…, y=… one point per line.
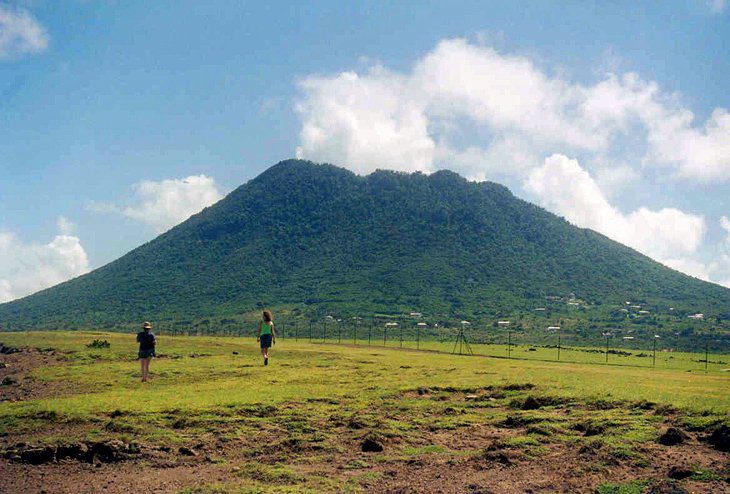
x=324, y=399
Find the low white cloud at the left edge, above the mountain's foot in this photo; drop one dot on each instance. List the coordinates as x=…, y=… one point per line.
x=26, y=268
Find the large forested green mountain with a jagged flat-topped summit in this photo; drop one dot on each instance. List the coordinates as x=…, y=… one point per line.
x=320, y=237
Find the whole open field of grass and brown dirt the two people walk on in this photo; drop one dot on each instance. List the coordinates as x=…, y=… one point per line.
x=334, y=418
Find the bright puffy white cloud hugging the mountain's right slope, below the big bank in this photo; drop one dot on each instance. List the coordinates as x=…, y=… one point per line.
x=668, y=235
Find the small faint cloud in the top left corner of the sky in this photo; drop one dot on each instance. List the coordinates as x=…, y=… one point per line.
x=20, y=34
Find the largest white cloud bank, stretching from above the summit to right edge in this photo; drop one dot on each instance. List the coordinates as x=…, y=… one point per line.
x=463, y=104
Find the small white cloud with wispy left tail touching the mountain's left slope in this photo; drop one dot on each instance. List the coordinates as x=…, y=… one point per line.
x=165, y=203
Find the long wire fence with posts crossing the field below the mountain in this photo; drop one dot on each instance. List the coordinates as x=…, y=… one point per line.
x=641, y=348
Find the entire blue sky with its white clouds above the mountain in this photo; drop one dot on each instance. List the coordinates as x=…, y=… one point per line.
x=125, y=117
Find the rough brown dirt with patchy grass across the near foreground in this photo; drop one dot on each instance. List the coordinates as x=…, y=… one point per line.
x=426, y=440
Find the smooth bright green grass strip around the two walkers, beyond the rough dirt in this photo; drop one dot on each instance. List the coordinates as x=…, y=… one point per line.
x=302, y=371
